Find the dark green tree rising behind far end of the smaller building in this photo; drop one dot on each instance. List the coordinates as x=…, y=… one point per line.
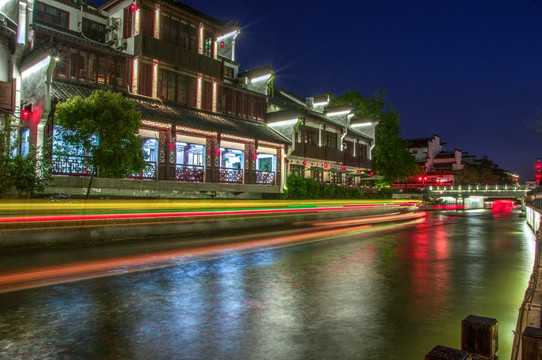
x=391, y=158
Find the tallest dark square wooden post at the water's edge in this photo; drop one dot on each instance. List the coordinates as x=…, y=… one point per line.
x=479, y=336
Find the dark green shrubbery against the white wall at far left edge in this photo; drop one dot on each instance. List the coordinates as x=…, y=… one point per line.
x=29, y=173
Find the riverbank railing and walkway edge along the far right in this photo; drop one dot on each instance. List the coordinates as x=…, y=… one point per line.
x=528, y=334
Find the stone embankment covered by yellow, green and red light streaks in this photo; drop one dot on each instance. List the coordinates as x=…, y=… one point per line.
x=46, y=224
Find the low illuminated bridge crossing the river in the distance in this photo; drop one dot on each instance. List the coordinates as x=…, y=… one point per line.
x=474, y=195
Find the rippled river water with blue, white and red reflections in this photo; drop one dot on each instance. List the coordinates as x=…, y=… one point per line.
x=391, y=294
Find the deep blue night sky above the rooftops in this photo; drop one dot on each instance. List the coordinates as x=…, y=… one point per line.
x=469, y=71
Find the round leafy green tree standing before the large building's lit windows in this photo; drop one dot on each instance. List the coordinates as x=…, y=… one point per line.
x=104, y=127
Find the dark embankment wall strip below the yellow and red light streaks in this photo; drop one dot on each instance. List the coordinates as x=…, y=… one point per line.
x=80, y=232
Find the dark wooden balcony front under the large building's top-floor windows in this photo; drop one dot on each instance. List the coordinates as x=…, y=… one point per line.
x=177, y=56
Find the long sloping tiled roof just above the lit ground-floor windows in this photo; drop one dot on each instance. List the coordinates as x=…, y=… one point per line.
x=154, y=109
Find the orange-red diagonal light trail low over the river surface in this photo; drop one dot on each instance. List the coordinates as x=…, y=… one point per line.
x=80, y=270
